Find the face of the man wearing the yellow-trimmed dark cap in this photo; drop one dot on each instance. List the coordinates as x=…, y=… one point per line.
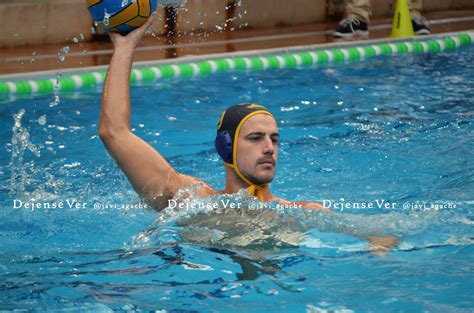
x=257, y=148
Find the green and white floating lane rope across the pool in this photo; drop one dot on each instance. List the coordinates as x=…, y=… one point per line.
x=289, y=60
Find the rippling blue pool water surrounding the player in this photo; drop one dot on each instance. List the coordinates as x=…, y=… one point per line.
x=393, y=129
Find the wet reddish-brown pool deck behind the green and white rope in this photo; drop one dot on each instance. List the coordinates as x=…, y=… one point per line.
x=82, y=54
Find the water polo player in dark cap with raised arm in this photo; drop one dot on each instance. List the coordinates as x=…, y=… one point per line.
x=247, y=141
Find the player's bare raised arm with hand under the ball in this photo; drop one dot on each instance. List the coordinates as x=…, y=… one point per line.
x=149, y=173
